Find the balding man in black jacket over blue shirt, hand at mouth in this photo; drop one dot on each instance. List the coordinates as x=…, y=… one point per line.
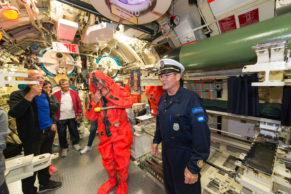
x=36, y=128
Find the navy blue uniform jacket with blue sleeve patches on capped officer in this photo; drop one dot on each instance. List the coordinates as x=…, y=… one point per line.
x=183, y=124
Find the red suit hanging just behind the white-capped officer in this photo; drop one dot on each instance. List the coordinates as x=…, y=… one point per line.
x=154, y=94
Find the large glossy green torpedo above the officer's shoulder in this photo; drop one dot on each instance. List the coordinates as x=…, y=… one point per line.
x=233, y=48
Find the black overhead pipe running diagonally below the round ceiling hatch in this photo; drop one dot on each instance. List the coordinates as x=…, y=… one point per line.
x=89, y=8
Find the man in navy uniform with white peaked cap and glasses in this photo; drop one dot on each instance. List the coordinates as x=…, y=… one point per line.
x=182, y=128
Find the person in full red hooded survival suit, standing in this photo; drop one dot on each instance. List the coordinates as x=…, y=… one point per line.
x=114, y=129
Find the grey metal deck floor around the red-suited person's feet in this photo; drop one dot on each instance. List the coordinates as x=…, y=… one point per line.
x=83, y=174
